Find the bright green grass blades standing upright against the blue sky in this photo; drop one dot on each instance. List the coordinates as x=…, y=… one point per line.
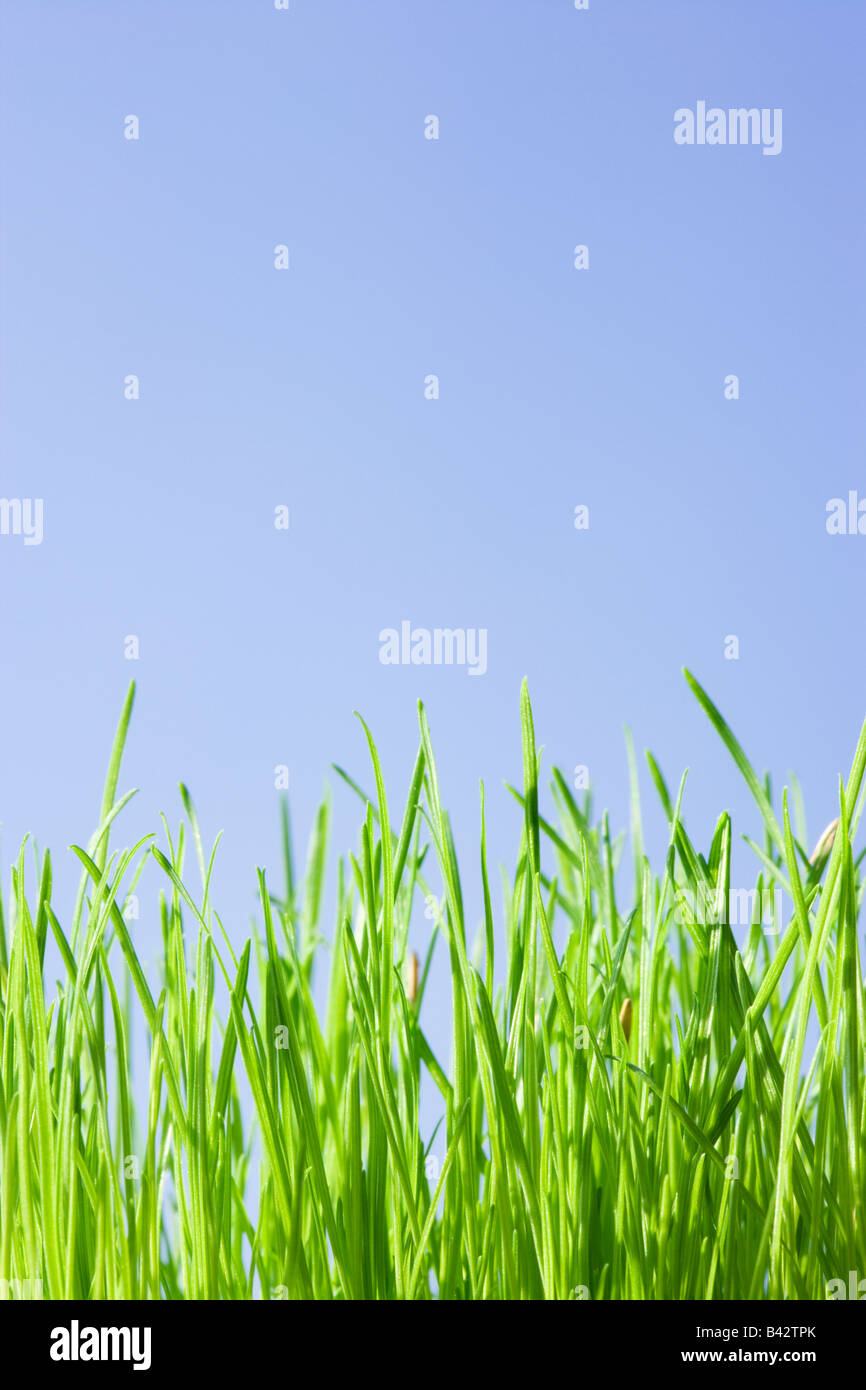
x=635, y=1107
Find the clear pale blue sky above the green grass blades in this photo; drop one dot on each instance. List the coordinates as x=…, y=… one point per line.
x=307, y=387
